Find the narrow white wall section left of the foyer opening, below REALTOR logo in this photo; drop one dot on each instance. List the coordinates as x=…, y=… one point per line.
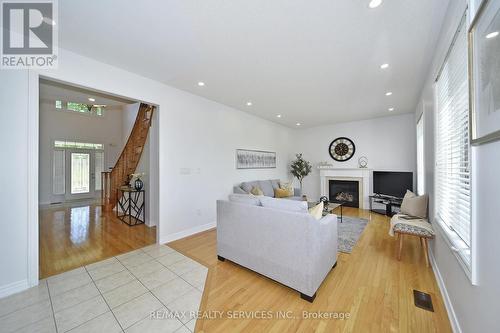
x=13, y=181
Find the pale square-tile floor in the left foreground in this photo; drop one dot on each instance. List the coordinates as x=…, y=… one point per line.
x=119, y=294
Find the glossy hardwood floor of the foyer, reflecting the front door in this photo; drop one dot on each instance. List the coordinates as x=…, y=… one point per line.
x=71, y=237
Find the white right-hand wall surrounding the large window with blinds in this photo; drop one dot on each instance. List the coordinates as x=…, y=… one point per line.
x=471, y=308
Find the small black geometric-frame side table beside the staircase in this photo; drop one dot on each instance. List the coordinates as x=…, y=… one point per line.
x=131, y=203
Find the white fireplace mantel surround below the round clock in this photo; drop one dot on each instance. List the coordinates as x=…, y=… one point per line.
x=363, y=176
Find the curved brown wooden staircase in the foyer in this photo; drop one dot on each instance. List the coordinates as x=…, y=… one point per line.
x=129, y=158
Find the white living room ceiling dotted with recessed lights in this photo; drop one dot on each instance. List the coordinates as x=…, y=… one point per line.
x=313, y=62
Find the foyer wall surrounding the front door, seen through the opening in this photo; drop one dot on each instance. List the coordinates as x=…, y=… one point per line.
x=58, y=124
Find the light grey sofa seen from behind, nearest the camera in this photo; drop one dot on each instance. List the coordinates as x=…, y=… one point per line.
x=292, y=248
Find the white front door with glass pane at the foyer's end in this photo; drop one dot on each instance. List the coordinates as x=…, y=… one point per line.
x=81, y=174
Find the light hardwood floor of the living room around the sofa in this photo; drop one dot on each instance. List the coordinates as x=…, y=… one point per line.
x=370, y=284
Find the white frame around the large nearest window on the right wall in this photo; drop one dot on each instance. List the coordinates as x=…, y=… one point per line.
x=464, y=253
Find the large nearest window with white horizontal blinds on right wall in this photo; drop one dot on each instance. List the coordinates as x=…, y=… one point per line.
x=453, y=182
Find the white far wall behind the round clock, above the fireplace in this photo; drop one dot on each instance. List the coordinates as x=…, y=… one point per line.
x=389, y=143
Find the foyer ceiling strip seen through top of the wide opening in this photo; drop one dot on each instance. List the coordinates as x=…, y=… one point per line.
x=51, y=91
